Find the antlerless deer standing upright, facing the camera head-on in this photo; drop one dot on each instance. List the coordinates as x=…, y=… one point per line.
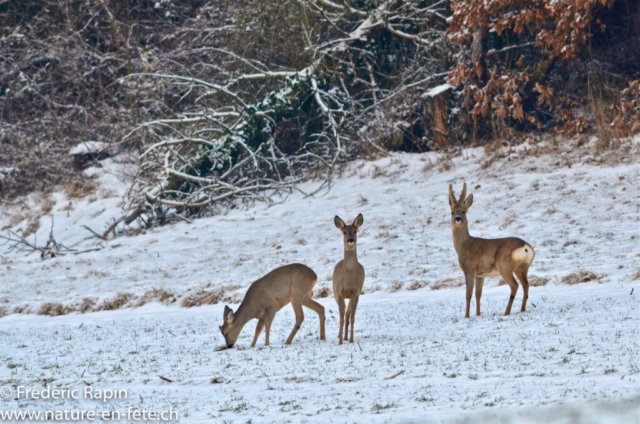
x=348, y=276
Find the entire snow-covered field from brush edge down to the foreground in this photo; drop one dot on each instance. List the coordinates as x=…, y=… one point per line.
x=416, y=357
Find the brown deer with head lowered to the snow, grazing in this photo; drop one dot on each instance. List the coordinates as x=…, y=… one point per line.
x=266, y=296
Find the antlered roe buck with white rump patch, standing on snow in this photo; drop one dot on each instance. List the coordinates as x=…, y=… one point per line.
x=480, y=258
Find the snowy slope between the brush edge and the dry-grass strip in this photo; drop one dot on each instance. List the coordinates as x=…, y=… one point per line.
x=579, y=218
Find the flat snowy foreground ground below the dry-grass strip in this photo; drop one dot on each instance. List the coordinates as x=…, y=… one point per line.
x=579, y=344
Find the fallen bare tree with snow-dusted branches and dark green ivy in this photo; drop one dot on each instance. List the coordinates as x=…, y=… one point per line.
x=257, y=125
